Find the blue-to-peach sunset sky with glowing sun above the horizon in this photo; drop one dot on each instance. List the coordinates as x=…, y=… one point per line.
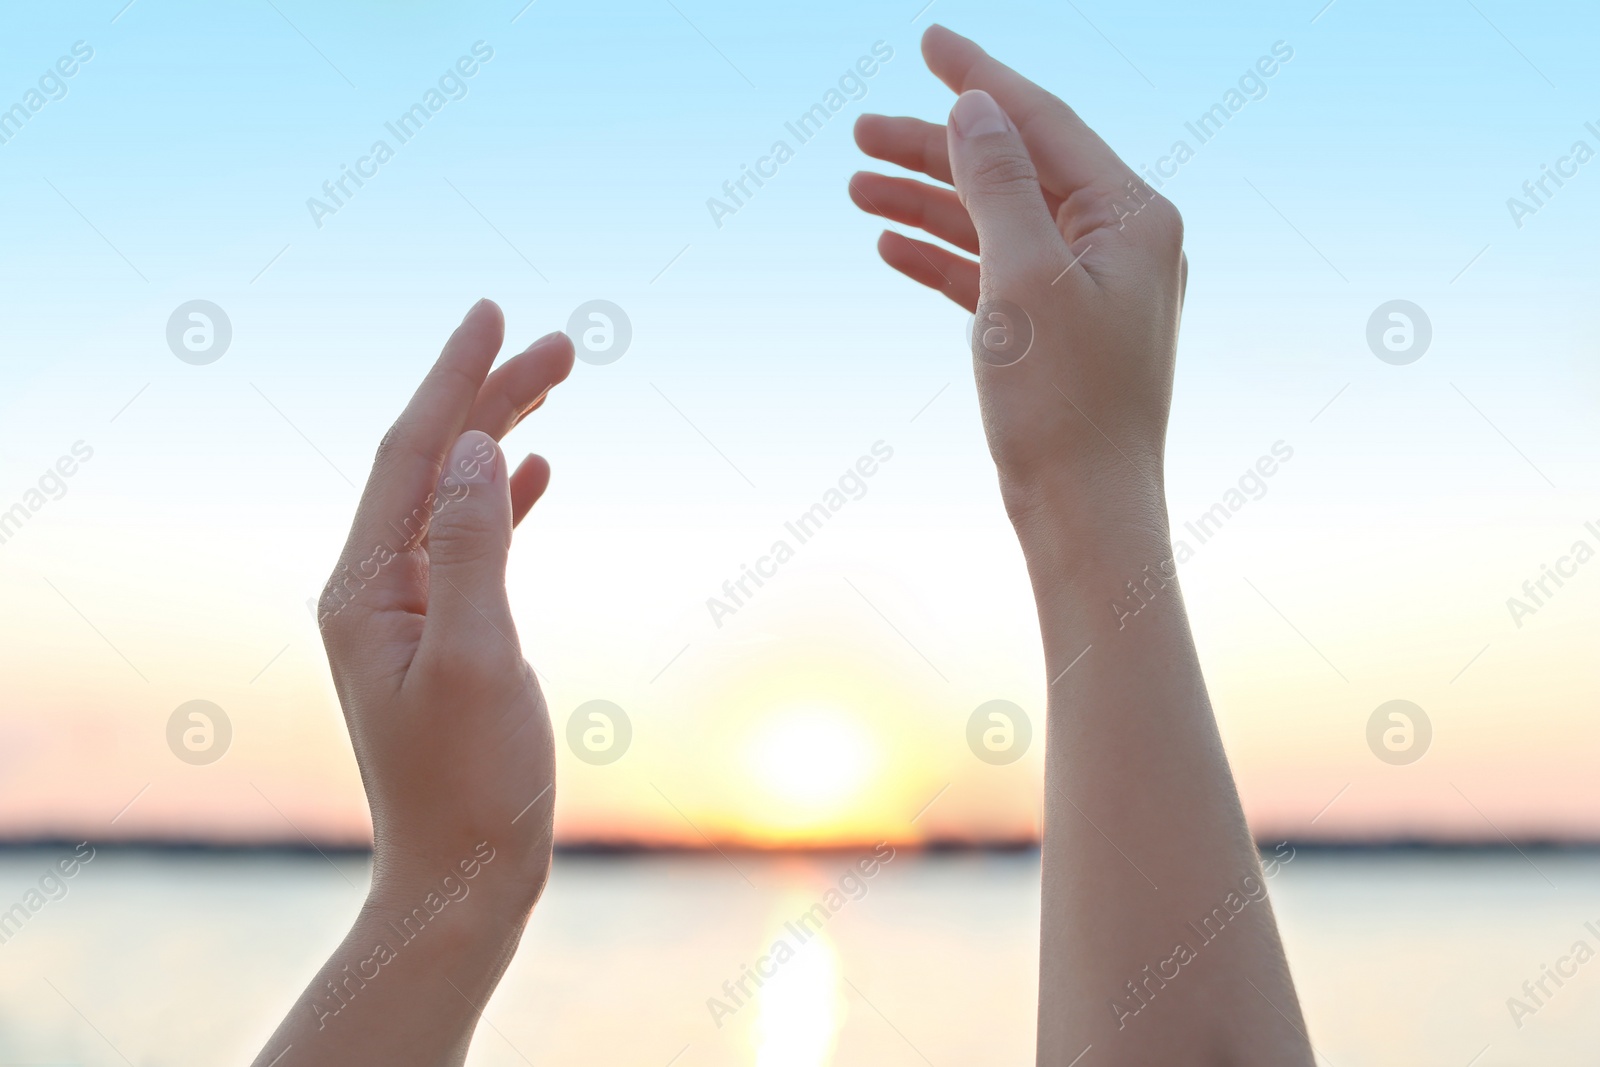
x=186, y=158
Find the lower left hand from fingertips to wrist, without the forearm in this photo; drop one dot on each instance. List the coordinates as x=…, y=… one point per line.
x=447, y=719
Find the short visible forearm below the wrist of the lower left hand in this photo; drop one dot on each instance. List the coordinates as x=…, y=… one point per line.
x=409, y=981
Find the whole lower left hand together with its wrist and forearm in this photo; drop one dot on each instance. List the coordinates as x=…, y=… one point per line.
x=447, y=721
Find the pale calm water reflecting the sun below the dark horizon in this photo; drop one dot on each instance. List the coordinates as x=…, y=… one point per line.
x=191, y=959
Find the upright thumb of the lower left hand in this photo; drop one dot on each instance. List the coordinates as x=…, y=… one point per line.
x=468, y=543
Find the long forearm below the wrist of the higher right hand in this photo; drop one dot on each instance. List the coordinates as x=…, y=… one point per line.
x=1159, y=943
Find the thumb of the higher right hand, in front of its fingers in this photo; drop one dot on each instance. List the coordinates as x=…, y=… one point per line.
x=996, y=180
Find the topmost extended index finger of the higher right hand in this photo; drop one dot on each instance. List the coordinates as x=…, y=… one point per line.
x=1070, y=156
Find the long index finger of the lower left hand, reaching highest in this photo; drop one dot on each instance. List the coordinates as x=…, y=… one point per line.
x=394, y=511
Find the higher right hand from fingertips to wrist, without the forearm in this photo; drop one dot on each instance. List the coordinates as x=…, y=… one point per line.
x=1079, y=284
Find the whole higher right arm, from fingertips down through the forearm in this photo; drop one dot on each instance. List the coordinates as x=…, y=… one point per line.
x=1158, y=940
